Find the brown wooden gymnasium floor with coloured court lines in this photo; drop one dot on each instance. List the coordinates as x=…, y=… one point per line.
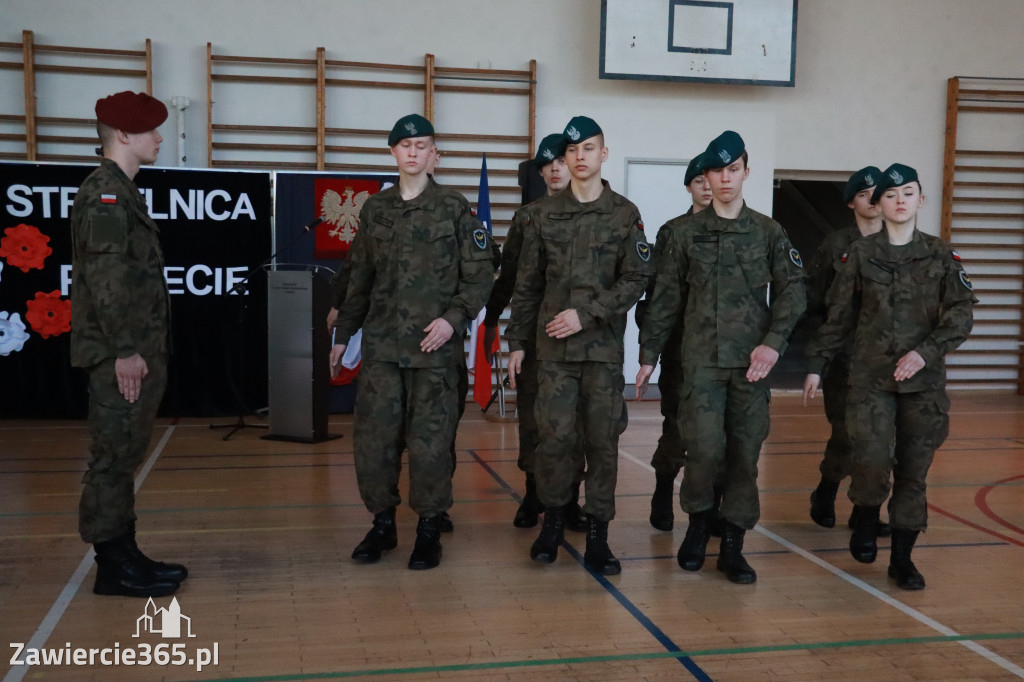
x=267, y=530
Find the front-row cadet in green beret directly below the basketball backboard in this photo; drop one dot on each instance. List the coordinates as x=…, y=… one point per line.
x=718, y=267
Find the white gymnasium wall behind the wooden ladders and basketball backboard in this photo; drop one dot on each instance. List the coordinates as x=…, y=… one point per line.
x=871, y=75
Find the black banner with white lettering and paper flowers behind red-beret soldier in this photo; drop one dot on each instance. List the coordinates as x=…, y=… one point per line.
x=215, y=228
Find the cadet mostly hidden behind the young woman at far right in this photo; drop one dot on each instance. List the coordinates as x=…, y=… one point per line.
x=822, y=272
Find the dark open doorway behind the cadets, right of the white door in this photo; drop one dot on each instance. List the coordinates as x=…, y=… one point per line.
x=808, y=210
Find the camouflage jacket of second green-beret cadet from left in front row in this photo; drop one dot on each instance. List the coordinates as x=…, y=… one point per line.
x=592, y=258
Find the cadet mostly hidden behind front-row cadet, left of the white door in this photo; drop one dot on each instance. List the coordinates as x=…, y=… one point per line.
x=550, y=161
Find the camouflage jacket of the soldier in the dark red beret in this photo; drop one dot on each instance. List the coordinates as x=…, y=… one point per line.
x=119, y=306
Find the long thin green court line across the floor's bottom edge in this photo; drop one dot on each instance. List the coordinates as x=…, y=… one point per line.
x=538, y=663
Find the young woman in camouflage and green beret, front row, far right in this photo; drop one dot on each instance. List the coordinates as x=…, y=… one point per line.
x=906, y=297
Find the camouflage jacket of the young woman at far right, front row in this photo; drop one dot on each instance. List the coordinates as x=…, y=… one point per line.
x=895, y=301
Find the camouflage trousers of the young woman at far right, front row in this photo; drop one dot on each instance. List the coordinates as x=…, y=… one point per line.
x=918, y=424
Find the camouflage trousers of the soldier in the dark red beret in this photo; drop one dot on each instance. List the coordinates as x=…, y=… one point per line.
x=120, y=433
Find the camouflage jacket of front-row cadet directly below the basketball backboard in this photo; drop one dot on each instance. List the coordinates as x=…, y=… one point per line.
x=716, y=275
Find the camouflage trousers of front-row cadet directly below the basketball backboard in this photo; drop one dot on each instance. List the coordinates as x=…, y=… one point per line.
x=727, y=421
